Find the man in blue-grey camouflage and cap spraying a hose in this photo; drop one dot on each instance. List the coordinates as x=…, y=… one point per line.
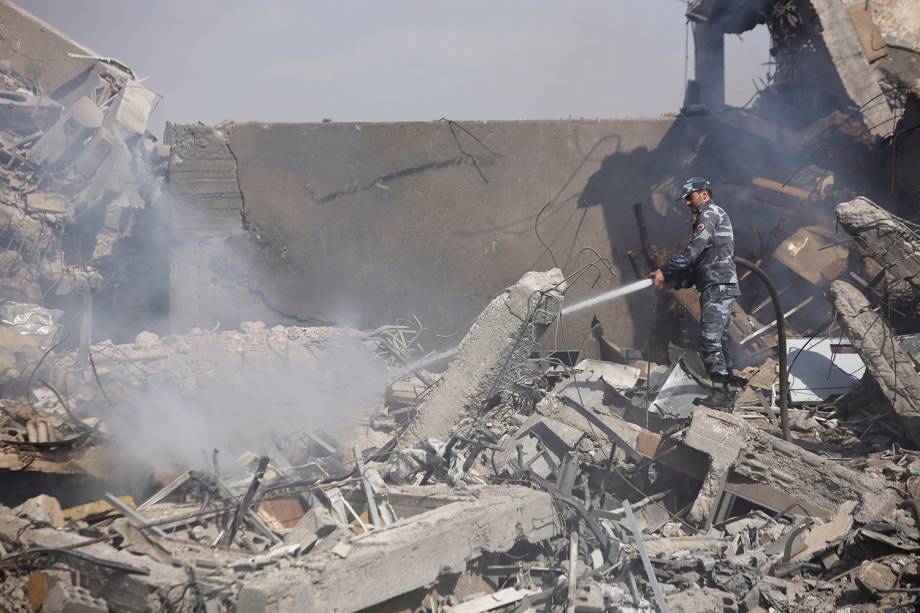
x=708, y=262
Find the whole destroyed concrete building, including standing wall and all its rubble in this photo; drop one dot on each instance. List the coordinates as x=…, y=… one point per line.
x=330, y=366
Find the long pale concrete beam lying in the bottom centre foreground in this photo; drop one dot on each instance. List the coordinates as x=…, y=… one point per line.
x=414, y=552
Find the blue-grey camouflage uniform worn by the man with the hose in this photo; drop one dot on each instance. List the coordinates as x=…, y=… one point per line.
x=708, y=262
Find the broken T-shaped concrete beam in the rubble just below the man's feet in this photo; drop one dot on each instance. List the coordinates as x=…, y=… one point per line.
x=748, y=463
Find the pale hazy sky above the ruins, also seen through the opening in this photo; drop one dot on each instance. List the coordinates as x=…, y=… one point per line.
x=386, y=60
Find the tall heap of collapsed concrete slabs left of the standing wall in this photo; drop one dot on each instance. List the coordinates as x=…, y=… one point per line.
x=78, y=172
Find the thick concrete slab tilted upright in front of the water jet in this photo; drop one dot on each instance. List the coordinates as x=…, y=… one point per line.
x=493, y=354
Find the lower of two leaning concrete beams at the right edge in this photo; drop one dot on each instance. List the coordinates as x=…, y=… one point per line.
x=891, y=366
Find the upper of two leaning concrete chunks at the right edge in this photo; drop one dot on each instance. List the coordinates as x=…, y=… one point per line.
x=883, y=237
